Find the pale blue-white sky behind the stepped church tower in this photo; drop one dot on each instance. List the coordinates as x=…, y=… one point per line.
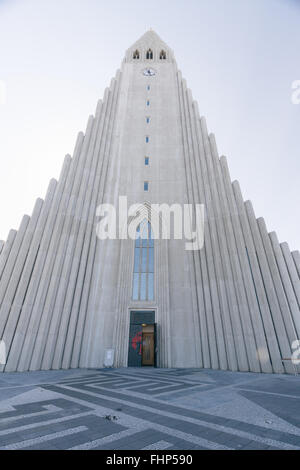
x=239, y=57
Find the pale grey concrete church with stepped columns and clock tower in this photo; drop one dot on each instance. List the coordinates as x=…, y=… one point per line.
x=66, y=296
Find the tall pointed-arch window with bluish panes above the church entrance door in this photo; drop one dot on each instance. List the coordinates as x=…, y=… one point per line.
x=143, y=272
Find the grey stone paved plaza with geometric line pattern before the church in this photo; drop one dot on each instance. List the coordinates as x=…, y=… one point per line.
x=149, y=408
